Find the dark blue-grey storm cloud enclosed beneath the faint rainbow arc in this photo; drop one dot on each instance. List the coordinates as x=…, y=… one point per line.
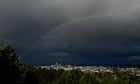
x=117, y=39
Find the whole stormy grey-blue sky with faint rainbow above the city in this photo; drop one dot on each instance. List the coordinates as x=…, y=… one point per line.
x=72, y=31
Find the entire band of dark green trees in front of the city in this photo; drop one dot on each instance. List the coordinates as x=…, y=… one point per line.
x=13, y=72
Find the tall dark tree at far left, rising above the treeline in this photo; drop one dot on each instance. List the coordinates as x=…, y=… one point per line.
x=9, y=63
